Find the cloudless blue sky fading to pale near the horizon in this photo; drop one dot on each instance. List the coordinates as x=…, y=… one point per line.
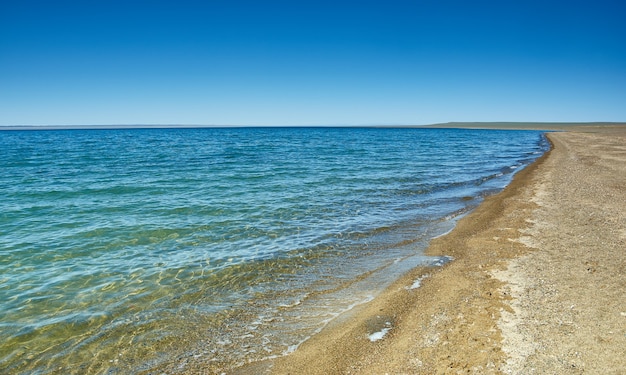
x=232, y=62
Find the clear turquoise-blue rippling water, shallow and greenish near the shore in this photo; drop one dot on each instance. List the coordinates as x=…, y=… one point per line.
x=129, y=250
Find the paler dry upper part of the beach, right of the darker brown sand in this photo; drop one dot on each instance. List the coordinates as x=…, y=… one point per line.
x=570, y=294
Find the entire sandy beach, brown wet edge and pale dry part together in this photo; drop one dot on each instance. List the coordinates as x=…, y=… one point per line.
x=537, y=285
